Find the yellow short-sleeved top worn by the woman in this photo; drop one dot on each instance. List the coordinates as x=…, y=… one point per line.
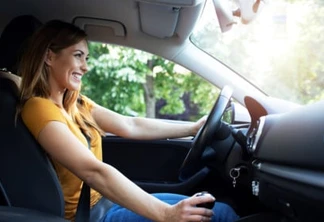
x=36, y=113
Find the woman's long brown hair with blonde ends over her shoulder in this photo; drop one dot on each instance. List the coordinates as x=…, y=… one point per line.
x=54, y=35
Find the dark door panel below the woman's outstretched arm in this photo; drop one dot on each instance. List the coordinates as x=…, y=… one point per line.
x=155, y=161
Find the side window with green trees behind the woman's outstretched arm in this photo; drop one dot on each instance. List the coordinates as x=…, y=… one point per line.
x=136, y=83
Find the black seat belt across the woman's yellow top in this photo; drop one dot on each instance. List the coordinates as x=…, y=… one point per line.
x=83, y=209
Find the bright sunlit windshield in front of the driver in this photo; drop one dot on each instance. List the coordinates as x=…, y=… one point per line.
x=281, y=51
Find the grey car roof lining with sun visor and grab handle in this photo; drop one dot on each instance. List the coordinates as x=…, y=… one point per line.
x=127, y=13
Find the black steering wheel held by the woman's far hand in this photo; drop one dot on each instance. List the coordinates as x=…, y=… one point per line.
x=205, y=135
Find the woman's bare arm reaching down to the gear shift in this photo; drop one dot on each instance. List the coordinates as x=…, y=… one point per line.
x=64, y=147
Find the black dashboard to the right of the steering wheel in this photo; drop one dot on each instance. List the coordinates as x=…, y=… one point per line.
x=286, y=145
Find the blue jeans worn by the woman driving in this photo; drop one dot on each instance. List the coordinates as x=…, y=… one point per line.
x=222, y=212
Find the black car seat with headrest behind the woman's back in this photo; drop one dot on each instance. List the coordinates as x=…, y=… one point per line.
x=27, y=178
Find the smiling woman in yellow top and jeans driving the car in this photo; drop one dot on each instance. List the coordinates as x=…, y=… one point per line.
x=51, y=69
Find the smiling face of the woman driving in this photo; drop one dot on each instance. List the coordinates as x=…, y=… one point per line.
x=68, y=66
